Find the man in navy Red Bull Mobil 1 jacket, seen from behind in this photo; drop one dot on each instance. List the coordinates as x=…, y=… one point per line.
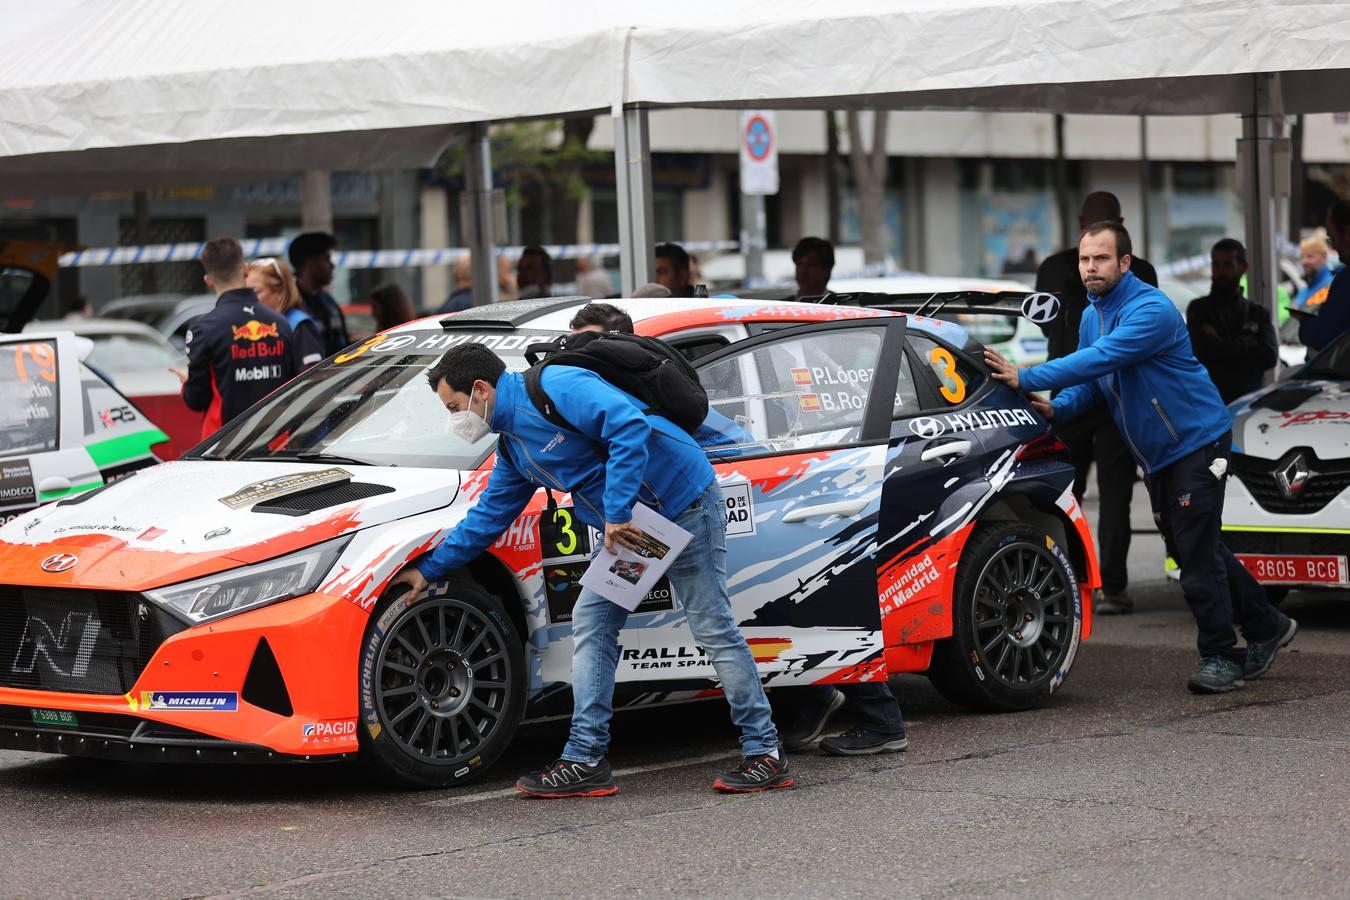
x=240, y=351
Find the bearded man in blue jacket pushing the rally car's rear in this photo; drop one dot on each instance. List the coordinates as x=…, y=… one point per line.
x=1135, y=354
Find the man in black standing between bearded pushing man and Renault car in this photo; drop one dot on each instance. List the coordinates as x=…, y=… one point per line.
x=1232, y=337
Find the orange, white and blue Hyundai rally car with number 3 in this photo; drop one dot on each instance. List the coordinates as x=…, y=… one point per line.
x=890, y=509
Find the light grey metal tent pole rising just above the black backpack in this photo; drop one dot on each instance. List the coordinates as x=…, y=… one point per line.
x=634, y=183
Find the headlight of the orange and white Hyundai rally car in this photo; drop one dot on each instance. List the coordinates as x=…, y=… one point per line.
x=252, y=586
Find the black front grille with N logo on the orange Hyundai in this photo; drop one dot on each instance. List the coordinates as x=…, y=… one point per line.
x=79, y=642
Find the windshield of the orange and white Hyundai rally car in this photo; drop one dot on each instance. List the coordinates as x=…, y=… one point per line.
x=369, y=405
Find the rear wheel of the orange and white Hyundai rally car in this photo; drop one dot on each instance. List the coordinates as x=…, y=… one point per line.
x=1017, y=619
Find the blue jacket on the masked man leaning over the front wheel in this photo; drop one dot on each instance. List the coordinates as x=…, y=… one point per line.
x=647, y=458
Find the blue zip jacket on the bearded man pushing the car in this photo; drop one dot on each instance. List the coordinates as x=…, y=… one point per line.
x=1136, y=356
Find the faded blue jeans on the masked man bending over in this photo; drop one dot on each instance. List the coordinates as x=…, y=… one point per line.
x=700, y=580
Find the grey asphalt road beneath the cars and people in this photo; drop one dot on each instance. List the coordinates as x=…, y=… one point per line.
x=1125, y=786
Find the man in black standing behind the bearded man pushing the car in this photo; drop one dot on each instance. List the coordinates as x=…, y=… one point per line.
x=1094, y=435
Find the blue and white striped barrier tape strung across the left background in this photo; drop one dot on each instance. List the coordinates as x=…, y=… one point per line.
x=421, y=257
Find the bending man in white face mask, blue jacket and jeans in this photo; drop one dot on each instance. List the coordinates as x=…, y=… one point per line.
x=616, y=458
